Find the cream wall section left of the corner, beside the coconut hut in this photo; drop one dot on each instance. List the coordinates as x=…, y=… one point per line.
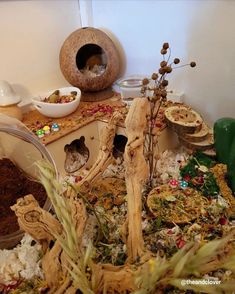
x=32, y=33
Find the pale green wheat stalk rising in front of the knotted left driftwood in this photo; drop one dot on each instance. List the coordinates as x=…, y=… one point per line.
x=77, y=259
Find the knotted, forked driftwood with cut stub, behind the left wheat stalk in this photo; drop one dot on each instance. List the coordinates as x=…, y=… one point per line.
x=43, y=227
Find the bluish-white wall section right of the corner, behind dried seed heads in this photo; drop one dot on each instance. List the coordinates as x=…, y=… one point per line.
x=202, y=31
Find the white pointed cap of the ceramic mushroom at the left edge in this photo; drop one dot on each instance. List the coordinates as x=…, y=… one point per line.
x=7, y=94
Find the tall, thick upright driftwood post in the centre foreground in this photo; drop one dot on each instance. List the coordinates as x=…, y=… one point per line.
x=136, y=174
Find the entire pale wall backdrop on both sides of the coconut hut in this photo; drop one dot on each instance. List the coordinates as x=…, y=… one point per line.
x=32, y=33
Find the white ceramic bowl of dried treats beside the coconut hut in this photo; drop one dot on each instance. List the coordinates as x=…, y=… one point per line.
x=56, y=110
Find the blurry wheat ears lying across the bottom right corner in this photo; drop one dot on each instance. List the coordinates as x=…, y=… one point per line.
x=188, y=263
